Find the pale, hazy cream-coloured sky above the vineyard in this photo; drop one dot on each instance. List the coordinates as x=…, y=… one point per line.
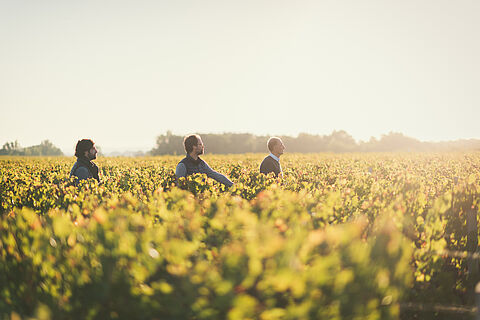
x=123, y=72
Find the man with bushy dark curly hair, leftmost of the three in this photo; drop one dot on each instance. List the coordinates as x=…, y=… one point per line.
x=84, y=168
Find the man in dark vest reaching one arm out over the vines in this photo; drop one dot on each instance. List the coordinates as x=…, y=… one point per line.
x=193, y=164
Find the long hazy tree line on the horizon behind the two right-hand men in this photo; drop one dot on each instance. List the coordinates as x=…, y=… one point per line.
x=337, y=142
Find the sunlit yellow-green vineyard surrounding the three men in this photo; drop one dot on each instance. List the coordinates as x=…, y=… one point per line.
x=351, y=236
